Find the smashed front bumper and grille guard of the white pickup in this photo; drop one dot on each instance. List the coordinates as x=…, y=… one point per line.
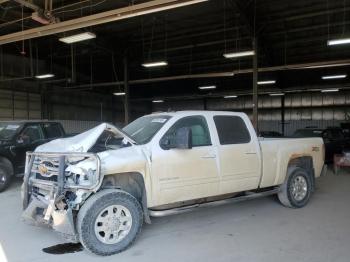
x=52, y=202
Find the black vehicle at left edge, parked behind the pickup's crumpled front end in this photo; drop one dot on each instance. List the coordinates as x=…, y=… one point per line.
x=18, y=137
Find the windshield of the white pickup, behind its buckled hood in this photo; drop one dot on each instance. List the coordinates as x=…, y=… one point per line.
x=144, y=128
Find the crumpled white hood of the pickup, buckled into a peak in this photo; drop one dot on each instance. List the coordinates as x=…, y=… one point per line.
x=82, y=142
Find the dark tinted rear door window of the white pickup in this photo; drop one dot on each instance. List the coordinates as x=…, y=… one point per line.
x=231, y=130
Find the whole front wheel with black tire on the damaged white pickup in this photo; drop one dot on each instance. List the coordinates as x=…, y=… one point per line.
x=109, y=222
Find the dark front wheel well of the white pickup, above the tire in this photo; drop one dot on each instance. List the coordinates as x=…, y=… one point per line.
x=132, y=183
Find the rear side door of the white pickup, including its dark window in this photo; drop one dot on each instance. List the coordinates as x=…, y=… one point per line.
x=239, y=155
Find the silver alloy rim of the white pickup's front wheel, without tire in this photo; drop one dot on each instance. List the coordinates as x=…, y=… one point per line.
x=113, y=224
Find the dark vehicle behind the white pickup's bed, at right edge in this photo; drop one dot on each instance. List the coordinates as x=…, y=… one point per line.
x=334, y=139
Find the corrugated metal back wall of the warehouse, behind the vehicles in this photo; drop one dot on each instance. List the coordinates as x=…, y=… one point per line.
x=80, y=111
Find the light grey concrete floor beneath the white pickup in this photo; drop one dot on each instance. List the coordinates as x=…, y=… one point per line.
x=257, y=230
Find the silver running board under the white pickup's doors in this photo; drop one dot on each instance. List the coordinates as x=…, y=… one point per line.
x=179, y=210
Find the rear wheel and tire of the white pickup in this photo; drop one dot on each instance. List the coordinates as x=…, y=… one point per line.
x=296, y=190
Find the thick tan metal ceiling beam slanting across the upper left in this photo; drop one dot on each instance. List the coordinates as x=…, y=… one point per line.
x=97, y=19
